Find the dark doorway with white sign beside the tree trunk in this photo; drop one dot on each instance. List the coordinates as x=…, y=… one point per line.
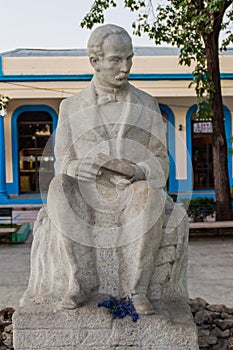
x=202, y=153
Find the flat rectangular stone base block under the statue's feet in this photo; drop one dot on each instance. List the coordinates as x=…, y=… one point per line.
x=90, y=327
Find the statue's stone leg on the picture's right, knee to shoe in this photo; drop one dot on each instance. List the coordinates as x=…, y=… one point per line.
x=136, y=259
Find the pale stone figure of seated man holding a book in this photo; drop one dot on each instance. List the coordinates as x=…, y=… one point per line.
x=108, y=194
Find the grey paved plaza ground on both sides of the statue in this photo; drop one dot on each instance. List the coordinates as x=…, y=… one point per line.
x=210, y=273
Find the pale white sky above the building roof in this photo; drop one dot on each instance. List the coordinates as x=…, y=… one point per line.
x=54, y=24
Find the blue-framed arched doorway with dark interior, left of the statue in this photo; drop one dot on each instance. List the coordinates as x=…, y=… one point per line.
x=32, y=128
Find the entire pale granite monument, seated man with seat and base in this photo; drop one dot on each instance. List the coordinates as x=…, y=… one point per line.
x=109, y=227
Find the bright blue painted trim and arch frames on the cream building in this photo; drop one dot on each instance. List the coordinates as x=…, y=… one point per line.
x=174, y=185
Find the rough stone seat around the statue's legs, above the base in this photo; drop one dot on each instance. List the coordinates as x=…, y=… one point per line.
x=49, y=277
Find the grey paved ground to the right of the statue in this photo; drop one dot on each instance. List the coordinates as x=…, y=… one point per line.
x=210, y=273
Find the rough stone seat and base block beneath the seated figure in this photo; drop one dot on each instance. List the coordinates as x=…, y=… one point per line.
x=38, y=326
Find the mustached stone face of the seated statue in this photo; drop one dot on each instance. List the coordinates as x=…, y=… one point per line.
x=114, y=67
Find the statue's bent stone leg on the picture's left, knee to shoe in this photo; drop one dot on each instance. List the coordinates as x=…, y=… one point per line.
x=79, y=258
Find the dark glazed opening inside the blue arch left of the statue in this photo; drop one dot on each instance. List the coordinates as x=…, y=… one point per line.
x=34, y=130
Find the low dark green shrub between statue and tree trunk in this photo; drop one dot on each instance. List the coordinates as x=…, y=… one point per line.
x=199, y=208
